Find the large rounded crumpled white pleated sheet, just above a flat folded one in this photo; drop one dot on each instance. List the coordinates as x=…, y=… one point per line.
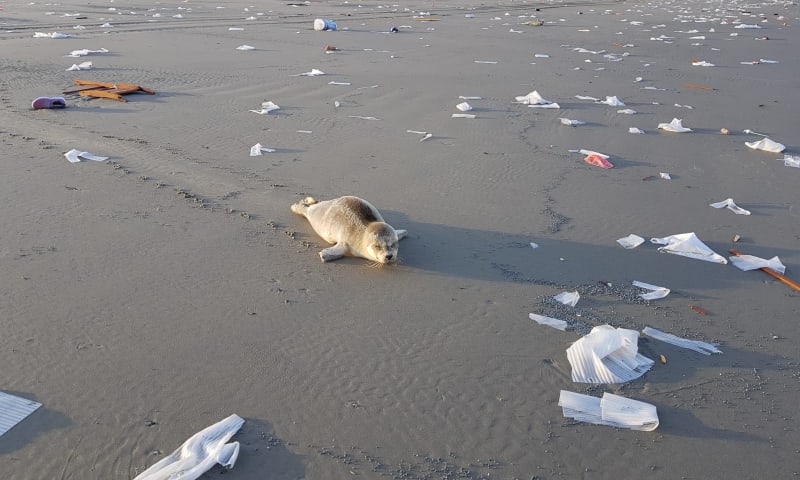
x=607, y=355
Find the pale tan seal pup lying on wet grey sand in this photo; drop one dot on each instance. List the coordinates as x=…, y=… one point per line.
x=353, y=226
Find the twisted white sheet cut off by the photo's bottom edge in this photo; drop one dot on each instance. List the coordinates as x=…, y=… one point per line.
x=199, y=453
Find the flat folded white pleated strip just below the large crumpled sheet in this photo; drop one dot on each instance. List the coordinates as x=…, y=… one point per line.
x=611, y=410
